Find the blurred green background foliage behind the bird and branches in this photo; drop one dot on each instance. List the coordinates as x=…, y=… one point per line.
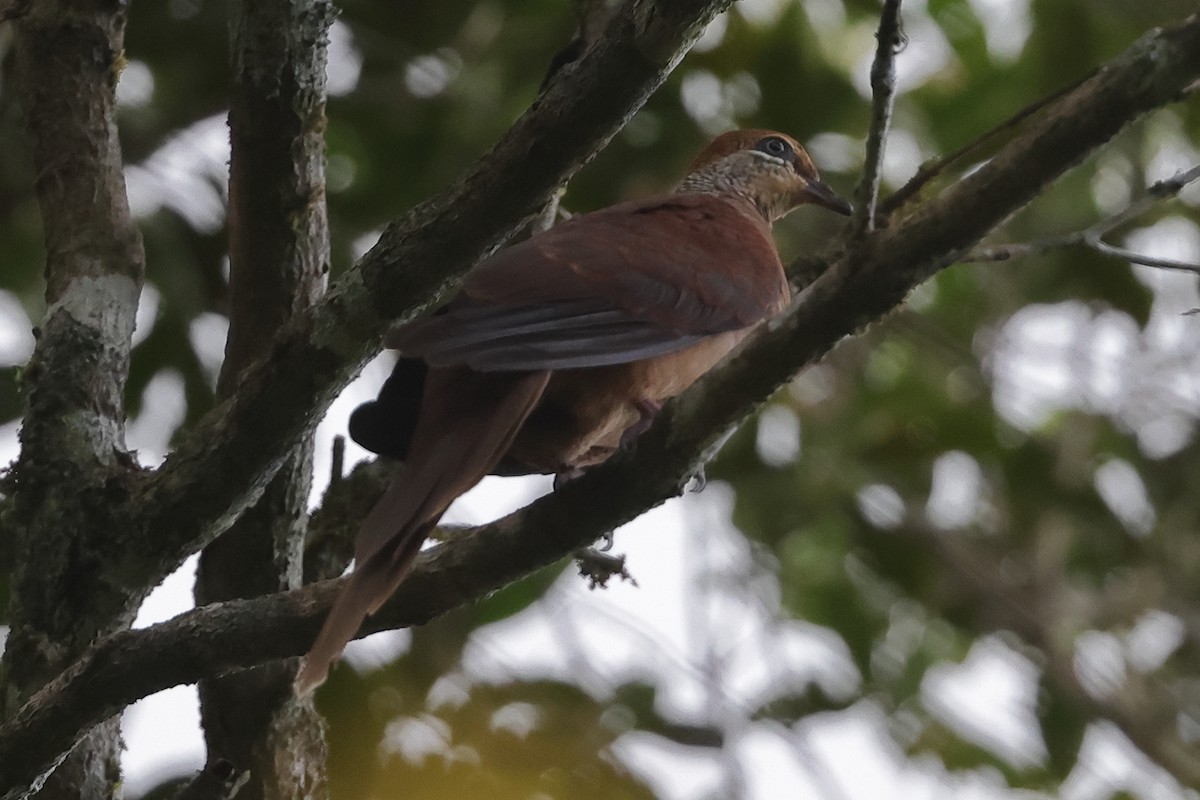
x=991, y=414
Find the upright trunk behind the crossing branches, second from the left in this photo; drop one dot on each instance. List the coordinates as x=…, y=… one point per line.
x=279, y=258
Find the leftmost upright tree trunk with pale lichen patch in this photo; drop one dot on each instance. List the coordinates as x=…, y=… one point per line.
x=74, y=466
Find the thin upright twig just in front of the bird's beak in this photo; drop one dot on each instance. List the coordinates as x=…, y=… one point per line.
x=891, y=40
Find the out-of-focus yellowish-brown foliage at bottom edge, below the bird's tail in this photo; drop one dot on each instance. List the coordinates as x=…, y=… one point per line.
x=421, y=723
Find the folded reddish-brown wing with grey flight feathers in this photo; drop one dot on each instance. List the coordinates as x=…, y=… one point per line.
x=632, y=282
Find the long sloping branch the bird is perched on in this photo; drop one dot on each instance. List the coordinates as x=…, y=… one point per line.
x=862, y=285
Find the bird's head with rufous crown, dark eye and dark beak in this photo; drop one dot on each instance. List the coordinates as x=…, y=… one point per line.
x=770, y=170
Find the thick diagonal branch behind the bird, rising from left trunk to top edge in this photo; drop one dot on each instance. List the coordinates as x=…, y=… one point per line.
x=224, y=465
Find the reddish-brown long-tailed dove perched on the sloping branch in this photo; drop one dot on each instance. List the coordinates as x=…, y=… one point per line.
x=562, y=348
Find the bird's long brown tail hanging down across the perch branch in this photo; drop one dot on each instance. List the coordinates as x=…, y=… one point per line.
x=467, y=423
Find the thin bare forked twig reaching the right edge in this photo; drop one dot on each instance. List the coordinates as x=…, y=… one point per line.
x=1094, y=236
